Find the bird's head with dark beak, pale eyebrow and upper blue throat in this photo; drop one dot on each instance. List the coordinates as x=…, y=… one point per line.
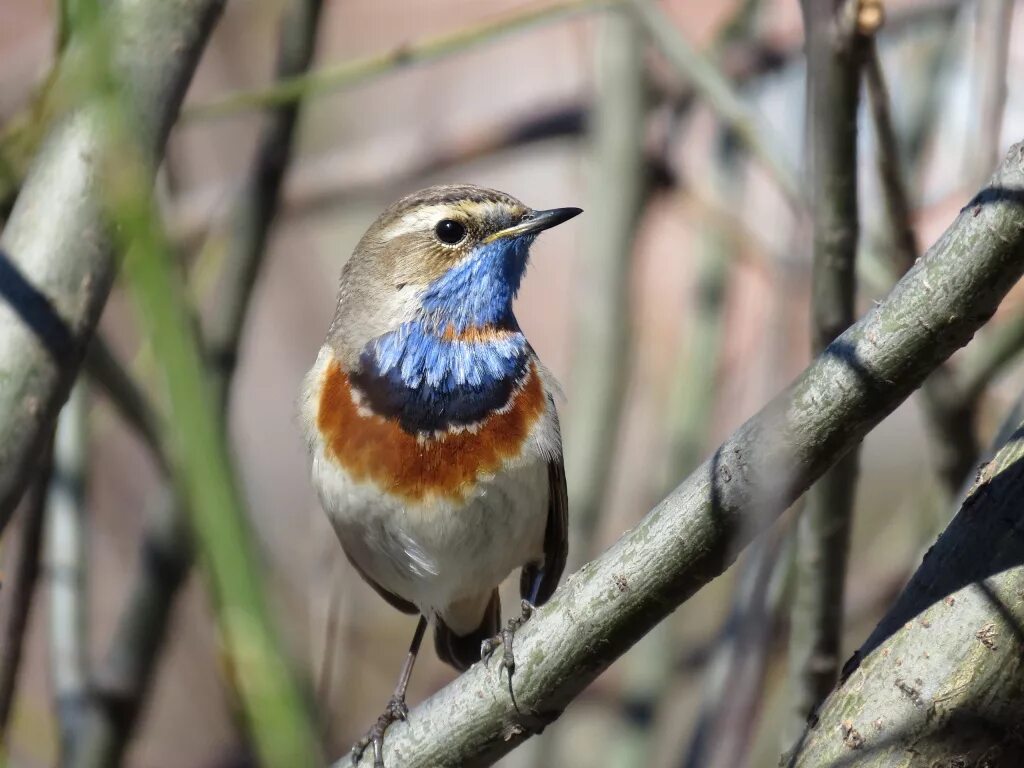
x=450, y=258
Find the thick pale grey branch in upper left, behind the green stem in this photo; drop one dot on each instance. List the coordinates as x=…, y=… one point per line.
x=56, y=263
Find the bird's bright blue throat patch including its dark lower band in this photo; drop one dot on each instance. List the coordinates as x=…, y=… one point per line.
x=428, y=377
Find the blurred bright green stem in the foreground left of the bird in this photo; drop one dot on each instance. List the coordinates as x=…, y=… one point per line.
x=275, y=706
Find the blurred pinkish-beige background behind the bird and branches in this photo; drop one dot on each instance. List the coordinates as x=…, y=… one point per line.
x=672, y=311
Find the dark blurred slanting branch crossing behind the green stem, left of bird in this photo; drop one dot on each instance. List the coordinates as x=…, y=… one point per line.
x=167, y=551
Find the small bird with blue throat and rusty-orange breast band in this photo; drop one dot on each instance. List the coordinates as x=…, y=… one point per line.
x=433, y=425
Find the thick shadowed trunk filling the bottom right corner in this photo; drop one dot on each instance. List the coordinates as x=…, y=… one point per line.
x=942, y=679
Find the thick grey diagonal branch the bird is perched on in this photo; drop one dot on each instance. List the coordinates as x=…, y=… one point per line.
x=694, y=535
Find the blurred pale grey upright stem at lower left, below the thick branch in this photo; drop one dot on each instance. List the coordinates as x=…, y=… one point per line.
x=66, y=568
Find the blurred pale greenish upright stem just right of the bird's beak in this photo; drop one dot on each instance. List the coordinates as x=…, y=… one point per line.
x=602, y=363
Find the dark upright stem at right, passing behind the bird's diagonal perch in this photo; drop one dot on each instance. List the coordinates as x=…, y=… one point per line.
x=834, y=65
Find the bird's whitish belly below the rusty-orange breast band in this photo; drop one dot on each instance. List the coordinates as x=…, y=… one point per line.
x=438, y=552
